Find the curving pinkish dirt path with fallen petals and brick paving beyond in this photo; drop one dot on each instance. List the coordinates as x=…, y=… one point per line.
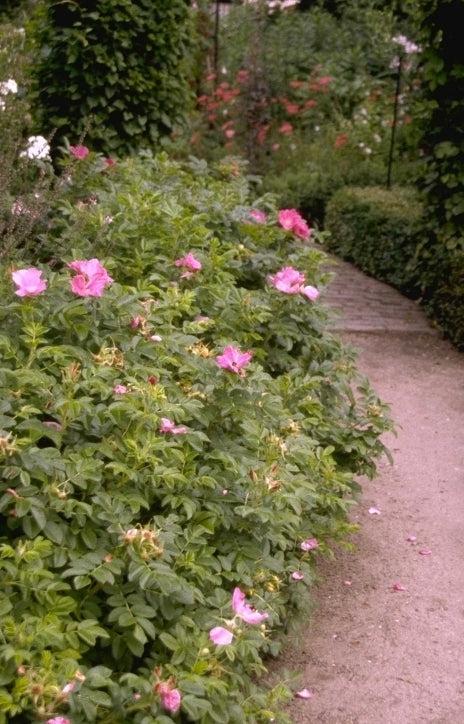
x=372, y=654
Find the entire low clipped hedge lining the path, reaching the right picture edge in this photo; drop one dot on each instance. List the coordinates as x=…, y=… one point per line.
x=384, y=233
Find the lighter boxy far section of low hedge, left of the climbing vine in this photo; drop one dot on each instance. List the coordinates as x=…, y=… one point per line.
x=379, y=230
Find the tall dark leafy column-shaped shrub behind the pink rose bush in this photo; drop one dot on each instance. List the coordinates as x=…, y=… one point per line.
x=115, y=70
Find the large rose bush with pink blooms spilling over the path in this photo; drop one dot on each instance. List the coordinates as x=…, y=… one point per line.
x=143, y=482
